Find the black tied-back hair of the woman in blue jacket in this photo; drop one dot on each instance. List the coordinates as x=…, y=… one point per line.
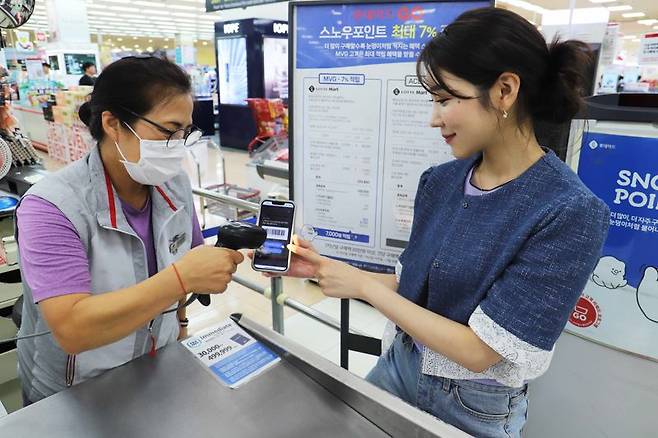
x=482, y=44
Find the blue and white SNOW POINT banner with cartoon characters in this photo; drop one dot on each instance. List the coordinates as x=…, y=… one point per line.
x=619, y=306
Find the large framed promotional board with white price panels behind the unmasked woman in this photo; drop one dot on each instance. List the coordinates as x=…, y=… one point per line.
x=361, y=134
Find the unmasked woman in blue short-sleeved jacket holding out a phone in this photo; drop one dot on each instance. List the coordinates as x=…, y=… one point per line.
x=503, y=238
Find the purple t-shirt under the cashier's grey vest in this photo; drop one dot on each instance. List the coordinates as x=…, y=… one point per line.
x=53, y=259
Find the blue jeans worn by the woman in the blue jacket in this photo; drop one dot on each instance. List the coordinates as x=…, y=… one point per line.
x=479, y=409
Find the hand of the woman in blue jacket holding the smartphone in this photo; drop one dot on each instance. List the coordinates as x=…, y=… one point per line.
x=336, y=279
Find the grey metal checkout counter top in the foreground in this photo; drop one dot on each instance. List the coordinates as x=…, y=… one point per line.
x=173, y=394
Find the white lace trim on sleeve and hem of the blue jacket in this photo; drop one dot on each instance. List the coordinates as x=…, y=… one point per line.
x=521, y=361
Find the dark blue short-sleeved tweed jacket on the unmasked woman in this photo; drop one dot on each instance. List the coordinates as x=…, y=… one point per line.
x=523, y=252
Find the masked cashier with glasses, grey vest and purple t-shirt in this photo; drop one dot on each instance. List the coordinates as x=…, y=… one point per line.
x=112, y=241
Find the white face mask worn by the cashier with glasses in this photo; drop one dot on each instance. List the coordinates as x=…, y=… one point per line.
x=157, y=163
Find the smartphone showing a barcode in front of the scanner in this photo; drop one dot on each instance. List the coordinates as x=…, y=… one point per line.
x=278, y=219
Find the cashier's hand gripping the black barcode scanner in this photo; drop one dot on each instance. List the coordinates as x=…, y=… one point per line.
x=207, y=269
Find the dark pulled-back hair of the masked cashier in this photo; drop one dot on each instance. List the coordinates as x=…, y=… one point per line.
x=134, y=83
